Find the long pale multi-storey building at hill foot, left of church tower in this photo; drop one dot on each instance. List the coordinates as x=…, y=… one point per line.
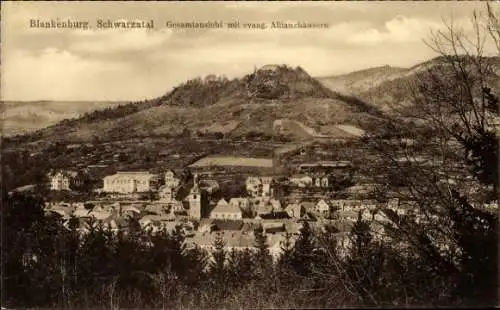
x=130, y=182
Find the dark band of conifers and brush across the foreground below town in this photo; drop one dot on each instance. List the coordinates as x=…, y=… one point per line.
x=48, y=264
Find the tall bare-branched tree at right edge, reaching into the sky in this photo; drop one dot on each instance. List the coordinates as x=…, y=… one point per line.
x=447, y=177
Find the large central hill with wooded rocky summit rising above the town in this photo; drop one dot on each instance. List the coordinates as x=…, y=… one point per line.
x=237, y=108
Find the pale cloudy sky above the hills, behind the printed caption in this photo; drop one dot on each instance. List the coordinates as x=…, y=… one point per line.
x=136, y=64
